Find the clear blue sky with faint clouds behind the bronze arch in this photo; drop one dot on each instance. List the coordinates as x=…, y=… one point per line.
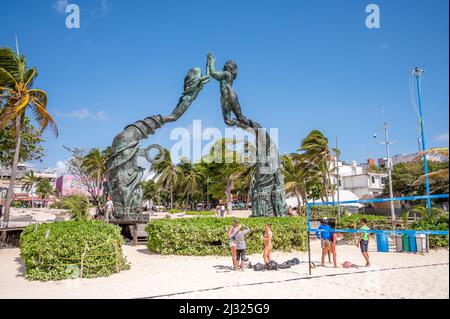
x=303, y=65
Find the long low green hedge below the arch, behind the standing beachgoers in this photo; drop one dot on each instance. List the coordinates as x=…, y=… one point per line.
x=207, y=235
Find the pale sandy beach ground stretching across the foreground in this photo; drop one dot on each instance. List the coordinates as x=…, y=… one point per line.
x=392, y=275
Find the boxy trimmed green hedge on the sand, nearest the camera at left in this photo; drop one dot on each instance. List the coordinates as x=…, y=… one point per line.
x=53, y=251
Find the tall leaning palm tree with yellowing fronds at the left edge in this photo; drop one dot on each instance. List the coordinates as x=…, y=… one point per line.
x=16, y=80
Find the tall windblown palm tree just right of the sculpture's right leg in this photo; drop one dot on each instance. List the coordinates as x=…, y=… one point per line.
x=316, y=155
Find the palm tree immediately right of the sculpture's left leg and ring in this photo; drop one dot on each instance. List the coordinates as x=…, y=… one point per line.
x=167, y=175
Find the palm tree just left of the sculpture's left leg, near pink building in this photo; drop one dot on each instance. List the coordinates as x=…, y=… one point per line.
x=95, y=165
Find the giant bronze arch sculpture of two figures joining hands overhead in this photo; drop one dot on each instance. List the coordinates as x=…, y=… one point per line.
x=124, y=173
